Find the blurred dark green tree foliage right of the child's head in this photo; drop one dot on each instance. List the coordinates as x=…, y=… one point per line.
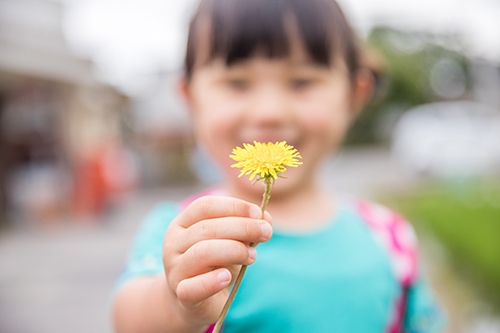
x=408, y=58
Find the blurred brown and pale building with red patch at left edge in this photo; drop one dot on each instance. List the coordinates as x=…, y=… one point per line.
x=59, y=126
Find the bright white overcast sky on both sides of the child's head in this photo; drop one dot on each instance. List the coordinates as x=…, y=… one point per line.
x=129, y=40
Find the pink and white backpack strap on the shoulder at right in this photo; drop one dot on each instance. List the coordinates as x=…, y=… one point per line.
x=396, y=235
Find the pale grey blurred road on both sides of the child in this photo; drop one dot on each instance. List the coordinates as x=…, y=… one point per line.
x=59, y=278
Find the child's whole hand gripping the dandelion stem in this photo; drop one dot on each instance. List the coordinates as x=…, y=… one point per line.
x=203, y=250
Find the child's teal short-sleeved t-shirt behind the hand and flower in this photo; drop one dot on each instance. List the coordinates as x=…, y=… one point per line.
x=337, y=279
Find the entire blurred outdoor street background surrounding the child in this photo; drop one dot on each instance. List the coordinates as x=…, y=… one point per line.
x=93, y=134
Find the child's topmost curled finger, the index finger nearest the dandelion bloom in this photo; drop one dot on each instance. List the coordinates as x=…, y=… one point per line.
x=214, y=207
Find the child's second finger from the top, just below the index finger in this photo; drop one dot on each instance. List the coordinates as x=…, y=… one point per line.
x=241, y=229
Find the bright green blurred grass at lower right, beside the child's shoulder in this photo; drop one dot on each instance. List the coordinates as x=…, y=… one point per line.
x=466, y=220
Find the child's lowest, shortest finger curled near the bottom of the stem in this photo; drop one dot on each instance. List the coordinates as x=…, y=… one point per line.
x=191, y=292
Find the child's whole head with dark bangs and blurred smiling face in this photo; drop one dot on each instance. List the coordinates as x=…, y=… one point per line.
x=272, y=71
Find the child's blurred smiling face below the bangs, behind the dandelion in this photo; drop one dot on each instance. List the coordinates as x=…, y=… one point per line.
x=262, y=99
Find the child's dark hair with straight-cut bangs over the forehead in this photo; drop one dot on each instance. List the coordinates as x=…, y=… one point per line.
x=234, y=30
